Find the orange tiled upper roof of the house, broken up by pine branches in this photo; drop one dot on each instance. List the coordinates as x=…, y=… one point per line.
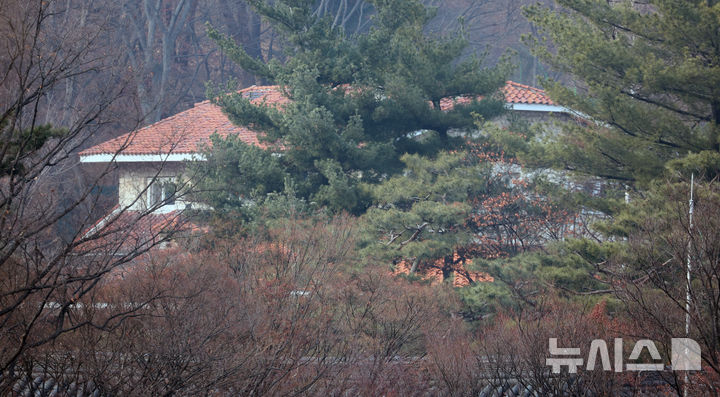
x=188, y=131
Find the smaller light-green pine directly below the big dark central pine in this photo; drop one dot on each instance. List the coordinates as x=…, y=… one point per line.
x=421, y=215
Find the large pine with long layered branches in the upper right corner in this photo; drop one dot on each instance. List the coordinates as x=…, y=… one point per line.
x=648, y=77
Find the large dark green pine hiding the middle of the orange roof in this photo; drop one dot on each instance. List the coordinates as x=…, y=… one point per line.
x=359, y=102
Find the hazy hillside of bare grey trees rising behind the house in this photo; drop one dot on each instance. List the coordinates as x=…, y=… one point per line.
x=161, y=51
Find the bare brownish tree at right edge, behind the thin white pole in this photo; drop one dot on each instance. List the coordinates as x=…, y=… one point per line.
x=652, y=281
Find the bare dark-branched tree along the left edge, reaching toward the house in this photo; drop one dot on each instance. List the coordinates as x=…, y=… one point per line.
x=49, y=284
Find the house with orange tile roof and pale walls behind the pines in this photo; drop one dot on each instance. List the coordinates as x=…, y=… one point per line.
x=152, y=159
